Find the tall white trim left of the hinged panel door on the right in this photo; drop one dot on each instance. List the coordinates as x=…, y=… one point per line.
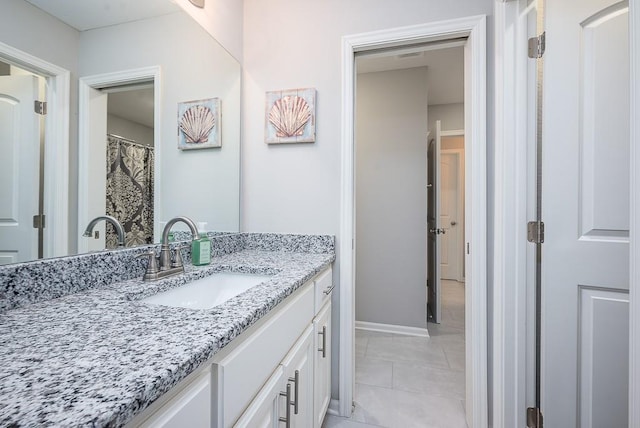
x=513, y=392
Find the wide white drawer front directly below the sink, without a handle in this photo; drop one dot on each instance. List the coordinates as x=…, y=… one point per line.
x=241, y=372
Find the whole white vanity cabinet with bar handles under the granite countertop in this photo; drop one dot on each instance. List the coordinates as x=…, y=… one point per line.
x=246, y=383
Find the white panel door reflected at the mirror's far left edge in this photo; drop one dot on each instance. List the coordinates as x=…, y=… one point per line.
x=19, y=173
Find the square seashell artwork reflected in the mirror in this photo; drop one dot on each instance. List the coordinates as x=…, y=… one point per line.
x=199, y=124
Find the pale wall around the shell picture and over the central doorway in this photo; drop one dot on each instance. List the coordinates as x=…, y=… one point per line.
x=297, y=43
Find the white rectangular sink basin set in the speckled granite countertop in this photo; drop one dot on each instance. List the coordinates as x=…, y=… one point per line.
x=206, y=293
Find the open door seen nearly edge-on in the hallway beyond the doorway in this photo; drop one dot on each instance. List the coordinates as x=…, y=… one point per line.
x=433, y=225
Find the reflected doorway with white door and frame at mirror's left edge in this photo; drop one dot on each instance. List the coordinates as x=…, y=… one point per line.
x=36, y=219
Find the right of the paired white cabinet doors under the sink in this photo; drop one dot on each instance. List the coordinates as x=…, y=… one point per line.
x=298, y=370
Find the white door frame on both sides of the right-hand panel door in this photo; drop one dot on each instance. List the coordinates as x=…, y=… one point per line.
x=512, y=264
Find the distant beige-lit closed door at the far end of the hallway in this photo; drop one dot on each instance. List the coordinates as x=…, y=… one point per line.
x=449, y=245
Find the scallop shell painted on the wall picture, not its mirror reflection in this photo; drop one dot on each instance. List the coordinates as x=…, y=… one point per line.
x=289, y=115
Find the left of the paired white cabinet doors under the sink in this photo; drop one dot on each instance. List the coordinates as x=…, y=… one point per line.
x=264, y=411
